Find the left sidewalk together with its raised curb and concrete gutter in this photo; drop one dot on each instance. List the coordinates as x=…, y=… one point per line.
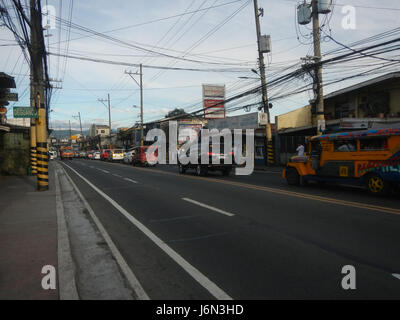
x=53, y=228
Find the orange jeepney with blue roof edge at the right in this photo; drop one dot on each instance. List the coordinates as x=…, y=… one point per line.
x=370, y=158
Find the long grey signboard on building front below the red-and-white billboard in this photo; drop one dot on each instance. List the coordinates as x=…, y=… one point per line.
x=246, y=121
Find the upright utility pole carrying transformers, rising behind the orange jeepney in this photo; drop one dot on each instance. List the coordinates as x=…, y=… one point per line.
x=319, y=101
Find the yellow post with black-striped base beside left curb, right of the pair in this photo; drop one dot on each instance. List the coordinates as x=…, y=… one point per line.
x=41, y=148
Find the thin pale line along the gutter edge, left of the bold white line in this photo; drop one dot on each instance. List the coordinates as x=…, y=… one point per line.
x=133, y=281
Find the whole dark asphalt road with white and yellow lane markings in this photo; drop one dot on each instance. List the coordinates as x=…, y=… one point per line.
x=244, y=237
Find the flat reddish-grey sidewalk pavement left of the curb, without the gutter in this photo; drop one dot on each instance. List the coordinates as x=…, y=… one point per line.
x=28, y=237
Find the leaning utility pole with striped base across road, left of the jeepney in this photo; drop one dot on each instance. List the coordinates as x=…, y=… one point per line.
x=270, y=153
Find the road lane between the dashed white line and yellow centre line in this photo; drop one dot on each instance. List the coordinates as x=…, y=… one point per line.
x=351, y=231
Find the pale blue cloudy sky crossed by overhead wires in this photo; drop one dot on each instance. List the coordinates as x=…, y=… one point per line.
x=224, y=34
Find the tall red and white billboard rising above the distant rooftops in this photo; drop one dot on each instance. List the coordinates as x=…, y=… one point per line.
x=214, y=101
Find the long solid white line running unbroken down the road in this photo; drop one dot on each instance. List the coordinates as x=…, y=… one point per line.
x=210, y=286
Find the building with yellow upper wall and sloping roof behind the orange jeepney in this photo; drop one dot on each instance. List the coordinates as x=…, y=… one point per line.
x=369, y=104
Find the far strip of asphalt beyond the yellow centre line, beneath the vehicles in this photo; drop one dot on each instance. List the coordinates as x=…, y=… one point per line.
x=274, y=179
